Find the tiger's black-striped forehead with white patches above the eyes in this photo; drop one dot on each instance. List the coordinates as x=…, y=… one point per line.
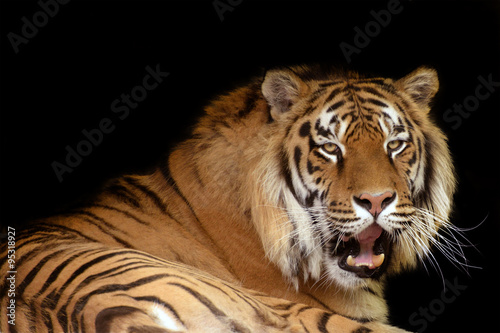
x=351, y=109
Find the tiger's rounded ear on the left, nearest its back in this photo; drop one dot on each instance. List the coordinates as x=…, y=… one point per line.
x=282, y=88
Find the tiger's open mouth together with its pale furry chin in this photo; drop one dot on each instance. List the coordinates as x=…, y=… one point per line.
x=352, y=262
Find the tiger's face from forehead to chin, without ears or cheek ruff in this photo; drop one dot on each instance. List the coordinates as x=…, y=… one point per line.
x=354, y=163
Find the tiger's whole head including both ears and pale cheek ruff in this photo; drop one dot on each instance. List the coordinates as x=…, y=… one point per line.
x=356, y=180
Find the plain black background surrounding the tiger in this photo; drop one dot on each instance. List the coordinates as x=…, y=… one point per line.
x=66, y=77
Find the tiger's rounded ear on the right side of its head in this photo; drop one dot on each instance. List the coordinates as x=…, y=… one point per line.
x=421, y=84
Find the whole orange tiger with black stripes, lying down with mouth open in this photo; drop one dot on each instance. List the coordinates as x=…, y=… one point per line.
x=293, y=200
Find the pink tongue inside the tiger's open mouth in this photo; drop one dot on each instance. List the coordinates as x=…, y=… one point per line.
x=366, y=257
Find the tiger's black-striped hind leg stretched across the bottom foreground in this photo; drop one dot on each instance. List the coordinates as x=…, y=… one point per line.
x=92, y=288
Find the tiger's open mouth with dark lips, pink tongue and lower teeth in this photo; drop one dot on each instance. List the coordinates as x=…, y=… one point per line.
x=366, y=254
